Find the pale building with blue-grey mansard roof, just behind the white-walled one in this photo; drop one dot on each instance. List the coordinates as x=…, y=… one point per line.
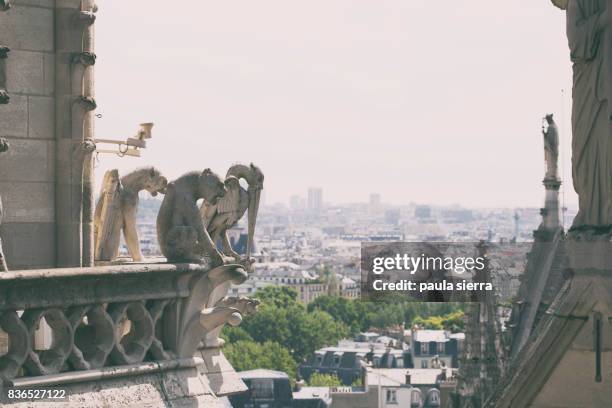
x=435, y=347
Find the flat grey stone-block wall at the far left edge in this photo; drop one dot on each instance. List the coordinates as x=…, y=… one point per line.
x=27, y=170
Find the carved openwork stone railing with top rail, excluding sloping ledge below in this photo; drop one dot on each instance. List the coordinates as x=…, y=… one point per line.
x=112, y=316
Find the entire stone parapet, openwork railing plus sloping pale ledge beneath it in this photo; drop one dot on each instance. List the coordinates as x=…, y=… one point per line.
x=115, y=329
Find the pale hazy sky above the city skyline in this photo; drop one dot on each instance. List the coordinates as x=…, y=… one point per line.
x=418, y=100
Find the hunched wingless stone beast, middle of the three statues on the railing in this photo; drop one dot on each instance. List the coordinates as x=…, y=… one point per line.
x=180, y=231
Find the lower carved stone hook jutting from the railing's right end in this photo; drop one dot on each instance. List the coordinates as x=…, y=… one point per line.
x=244, y=305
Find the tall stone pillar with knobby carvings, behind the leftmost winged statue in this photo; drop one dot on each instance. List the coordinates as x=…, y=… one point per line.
x=74, y=130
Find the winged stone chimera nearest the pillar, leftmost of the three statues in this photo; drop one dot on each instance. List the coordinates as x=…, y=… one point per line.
x=117, y=209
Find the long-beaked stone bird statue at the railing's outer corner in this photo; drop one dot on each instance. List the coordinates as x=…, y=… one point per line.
x=226, y=213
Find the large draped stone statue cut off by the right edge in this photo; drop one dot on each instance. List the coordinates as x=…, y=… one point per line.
x=590, y=41
